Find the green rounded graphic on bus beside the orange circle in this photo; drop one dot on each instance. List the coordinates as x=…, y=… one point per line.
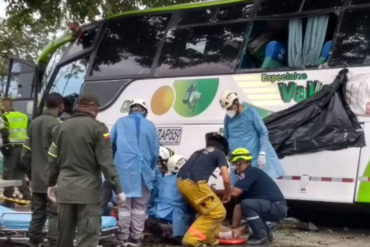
x=194, y=96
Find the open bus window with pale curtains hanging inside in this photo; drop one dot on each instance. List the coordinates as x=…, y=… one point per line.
x=296, y=42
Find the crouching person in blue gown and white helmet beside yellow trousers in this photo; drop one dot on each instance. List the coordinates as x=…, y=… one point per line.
x=169, y=215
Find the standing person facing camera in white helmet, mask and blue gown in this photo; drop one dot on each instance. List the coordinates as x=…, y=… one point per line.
x=243, y=127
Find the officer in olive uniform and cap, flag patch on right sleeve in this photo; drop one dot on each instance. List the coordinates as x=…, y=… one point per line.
x=80, y=151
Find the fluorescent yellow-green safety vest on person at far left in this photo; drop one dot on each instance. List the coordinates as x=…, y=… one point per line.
x=17, y=127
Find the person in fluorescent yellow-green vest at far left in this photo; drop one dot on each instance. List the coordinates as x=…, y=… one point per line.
x=13, y=129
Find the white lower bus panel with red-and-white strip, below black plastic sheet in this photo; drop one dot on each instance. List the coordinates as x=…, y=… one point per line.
x=328, y=176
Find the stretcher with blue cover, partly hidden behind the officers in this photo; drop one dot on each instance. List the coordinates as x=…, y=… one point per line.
x=14, y=226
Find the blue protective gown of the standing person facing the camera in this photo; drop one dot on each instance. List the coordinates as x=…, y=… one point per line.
x=247, y=130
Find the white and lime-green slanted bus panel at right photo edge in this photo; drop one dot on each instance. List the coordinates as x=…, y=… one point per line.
x=363, y=182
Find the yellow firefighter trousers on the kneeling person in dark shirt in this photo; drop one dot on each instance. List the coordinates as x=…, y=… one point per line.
x=211, y=212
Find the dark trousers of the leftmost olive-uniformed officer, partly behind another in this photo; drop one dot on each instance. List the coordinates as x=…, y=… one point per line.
x=42, y=208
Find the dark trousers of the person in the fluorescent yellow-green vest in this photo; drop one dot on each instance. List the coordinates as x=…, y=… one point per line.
x=12, y=170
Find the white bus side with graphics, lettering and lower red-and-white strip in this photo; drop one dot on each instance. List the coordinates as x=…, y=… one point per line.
x=192, y=105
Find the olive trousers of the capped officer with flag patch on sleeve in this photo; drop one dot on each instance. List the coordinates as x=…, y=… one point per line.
x=85, y=217
